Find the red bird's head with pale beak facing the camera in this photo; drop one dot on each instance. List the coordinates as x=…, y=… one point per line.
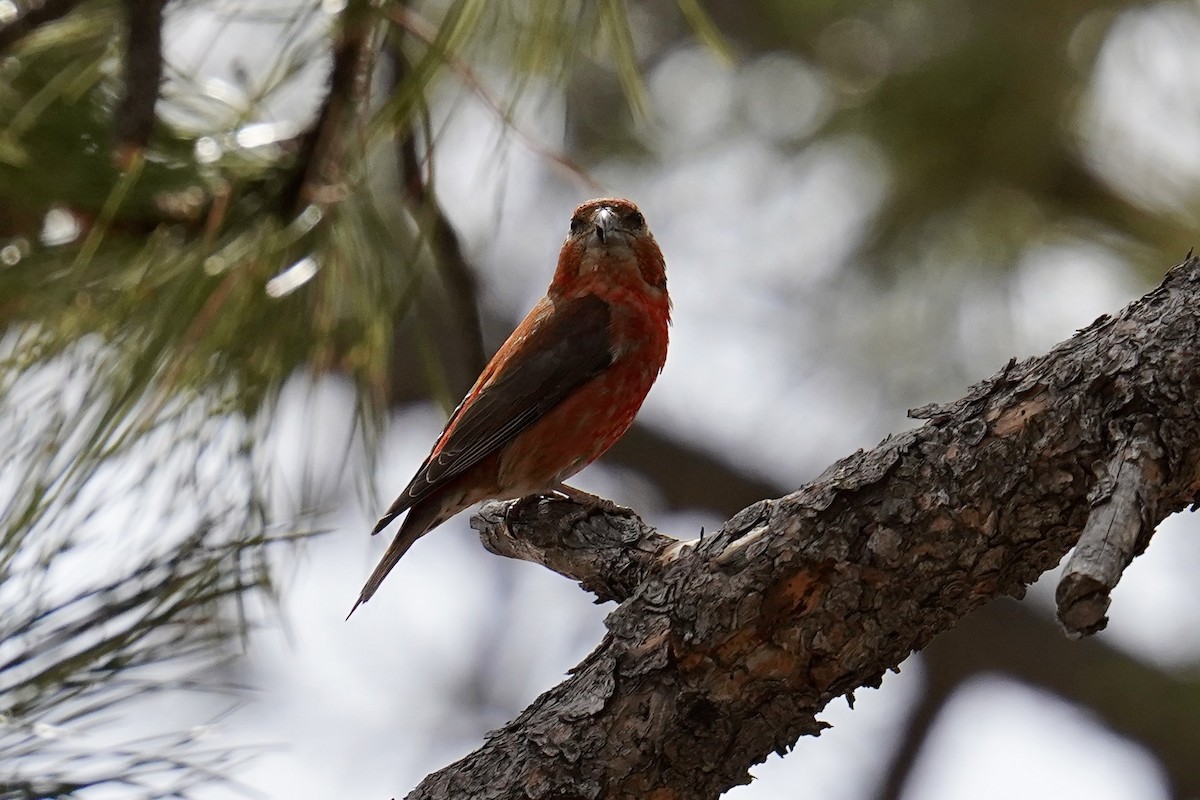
x=609, y=245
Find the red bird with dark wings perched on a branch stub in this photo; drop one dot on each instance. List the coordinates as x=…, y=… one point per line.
x=563, y=388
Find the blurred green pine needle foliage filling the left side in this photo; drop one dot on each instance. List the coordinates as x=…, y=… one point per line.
x=169, y=260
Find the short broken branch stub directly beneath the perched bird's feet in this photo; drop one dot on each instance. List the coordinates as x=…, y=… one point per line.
x=609, y=554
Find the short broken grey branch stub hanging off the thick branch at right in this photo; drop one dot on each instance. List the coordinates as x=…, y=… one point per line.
x=1118, y=530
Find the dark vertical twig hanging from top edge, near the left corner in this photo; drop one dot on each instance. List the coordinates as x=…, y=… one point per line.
x=143, y=75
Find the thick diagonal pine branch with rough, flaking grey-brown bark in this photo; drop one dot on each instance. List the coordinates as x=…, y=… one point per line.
x=727, y=651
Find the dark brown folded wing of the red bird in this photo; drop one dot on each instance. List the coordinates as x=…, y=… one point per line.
x=559, y=357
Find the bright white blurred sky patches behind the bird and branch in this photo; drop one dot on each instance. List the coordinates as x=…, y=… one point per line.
x=778, y=362
